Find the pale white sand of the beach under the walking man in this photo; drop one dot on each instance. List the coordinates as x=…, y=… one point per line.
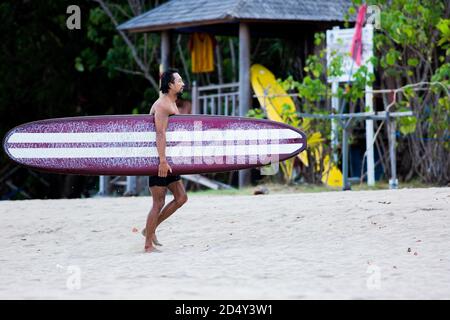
x=336, y=245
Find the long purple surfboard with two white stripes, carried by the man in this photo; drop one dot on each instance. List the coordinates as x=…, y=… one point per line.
x=126, y=144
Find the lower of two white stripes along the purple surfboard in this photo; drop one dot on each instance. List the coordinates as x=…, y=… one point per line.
x=146, y=152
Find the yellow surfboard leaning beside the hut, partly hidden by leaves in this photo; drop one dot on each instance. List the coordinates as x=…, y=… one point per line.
x=265, y=87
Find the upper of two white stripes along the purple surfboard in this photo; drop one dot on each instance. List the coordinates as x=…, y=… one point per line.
x=182, y=136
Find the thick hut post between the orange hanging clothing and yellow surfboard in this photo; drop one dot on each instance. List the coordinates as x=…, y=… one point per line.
x=244, y=85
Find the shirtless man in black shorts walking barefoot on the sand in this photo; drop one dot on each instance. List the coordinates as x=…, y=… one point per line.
x=171, y=88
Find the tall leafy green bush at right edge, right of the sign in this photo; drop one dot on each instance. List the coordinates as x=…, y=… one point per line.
x=414, y=46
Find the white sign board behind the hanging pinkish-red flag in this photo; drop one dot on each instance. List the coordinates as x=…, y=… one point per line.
x=339, y=41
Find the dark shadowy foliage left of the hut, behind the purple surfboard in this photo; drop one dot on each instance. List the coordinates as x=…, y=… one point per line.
x=49, y=71
